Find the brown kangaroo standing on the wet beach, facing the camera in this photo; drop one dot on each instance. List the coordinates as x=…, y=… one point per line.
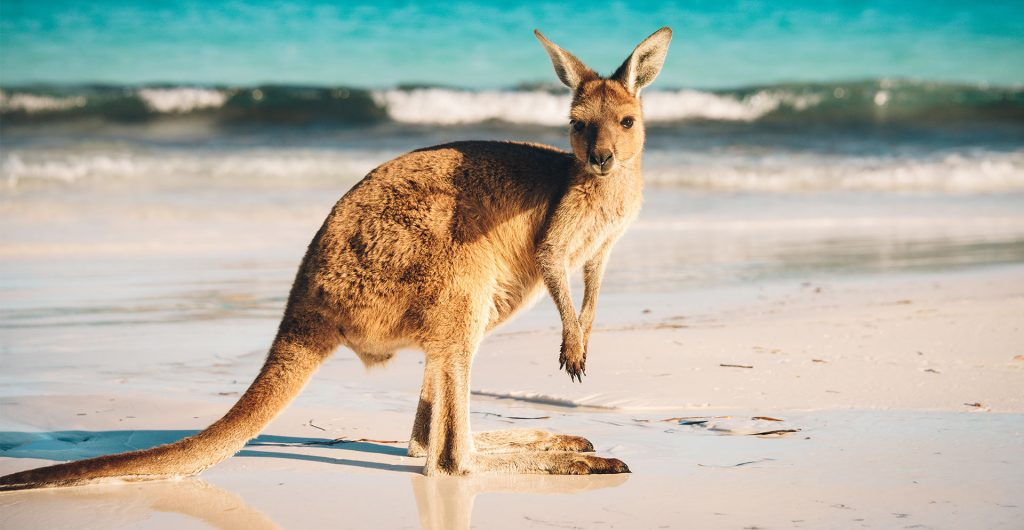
x=432, y=251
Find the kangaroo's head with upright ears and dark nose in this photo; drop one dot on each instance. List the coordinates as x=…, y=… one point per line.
x=606, y=120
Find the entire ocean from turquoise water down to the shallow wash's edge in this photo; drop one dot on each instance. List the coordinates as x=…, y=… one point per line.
x=786, y=140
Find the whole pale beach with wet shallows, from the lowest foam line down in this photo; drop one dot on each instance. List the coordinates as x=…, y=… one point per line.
x=882, y=393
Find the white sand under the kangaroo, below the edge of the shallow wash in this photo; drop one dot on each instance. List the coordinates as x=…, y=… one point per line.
x=876, y=374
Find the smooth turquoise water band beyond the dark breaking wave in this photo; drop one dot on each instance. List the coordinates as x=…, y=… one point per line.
x=489, y=45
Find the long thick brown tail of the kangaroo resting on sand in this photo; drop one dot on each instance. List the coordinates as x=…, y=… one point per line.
x=289, y=366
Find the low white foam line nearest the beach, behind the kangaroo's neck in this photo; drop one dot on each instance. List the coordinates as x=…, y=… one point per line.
x=961, y=172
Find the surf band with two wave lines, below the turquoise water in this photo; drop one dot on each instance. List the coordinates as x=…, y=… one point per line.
x=869, y=136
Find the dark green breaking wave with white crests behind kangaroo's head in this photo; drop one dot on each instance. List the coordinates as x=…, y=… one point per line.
x=877, y=102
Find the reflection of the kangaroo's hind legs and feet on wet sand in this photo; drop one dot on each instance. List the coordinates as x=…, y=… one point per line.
x=447, y=503
